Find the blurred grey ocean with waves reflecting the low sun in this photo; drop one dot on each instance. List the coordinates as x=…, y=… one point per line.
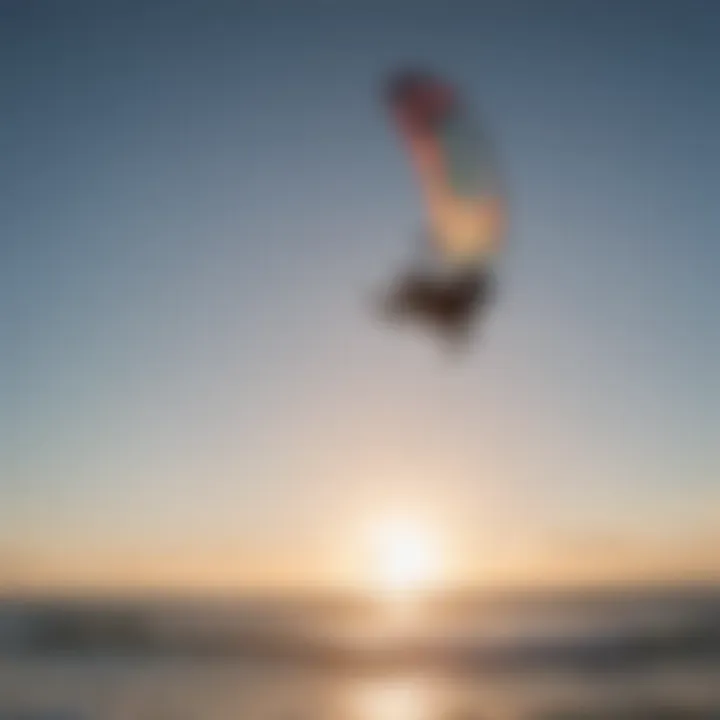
x=650, y=654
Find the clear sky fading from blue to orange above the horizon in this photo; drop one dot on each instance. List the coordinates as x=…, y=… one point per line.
x=198, y=200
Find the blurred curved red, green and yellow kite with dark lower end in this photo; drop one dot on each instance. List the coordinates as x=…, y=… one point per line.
x=464, y=203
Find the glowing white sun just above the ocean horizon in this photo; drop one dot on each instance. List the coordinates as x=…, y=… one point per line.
x=405, y=557
